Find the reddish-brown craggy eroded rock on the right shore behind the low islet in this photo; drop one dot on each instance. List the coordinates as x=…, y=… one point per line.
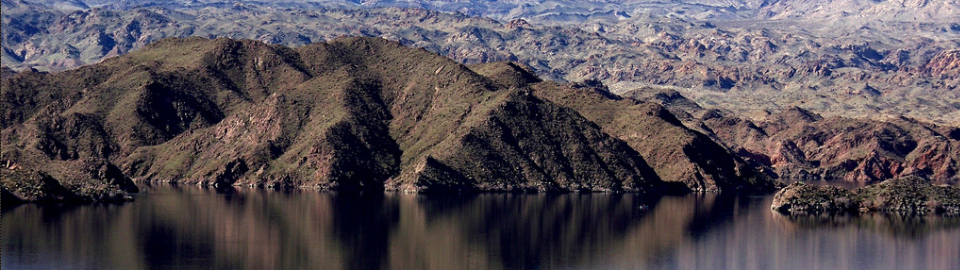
x=852, y=150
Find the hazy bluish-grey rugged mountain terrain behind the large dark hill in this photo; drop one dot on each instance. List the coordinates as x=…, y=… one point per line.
x=847, y=58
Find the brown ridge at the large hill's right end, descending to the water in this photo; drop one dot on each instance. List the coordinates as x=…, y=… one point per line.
x=675, y=152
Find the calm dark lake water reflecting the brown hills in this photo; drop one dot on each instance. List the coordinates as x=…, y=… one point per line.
x=192, y=228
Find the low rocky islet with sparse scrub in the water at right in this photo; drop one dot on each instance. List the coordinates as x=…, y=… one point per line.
x=909, y=195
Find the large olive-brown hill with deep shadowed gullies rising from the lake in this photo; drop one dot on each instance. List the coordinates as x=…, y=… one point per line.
x=349, y=114
